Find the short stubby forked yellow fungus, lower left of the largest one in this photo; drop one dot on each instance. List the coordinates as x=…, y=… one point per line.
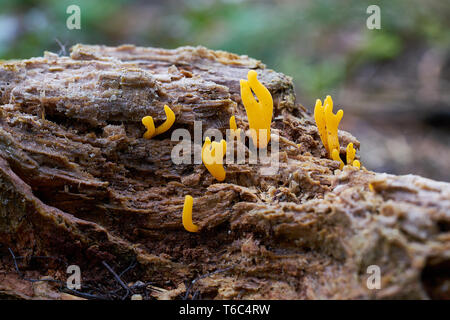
x=212, y=157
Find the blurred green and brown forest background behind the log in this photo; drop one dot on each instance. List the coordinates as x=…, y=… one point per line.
x=392, y=83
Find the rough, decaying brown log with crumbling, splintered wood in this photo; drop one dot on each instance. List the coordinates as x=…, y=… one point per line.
x=78, y=182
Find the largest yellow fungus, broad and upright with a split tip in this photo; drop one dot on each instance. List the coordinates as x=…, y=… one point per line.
x=259, y=113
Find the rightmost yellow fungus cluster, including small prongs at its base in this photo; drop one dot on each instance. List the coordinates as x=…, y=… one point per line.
x=327, y=124
